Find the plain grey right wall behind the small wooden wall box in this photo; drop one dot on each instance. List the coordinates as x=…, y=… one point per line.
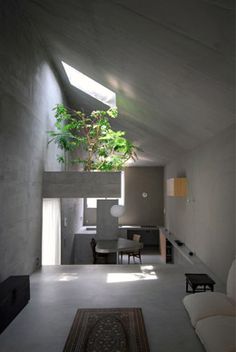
x=204, y=220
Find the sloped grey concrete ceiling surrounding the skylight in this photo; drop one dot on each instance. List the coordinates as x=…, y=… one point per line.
x=171, y=64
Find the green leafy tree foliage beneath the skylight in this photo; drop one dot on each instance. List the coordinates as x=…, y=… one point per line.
x=106, y=149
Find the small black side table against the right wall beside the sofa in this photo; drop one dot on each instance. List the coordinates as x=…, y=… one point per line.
x=199, y=283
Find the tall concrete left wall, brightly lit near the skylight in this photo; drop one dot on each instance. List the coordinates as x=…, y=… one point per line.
x=28, y=90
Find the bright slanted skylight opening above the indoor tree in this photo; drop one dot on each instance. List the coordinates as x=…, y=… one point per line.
x=89, y=86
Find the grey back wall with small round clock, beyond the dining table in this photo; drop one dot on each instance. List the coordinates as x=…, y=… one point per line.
x=139, y=210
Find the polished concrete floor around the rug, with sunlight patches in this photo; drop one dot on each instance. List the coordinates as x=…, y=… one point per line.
x=57, y=292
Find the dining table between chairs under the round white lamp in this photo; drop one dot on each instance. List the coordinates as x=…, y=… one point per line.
x=117, y=245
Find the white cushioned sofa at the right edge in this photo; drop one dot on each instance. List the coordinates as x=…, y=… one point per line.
x=213, y=315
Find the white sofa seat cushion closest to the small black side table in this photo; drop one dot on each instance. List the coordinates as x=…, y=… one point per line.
x=206, y=304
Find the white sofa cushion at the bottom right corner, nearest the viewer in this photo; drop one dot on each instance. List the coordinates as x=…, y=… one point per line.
x=217, y=333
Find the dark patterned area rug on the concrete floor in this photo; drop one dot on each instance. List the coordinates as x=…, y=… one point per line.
x=108, y=330
